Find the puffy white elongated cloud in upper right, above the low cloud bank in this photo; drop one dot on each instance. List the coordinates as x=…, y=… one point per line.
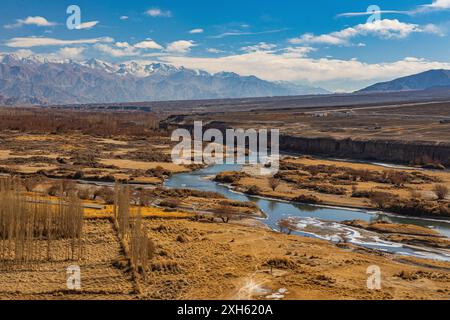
x=385, y=29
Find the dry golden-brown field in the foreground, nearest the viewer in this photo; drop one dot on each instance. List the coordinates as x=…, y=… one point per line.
x=226, y=261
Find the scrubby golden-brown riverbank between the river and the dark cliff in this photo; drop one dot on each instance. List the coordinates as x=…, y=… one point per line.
x=342, y=184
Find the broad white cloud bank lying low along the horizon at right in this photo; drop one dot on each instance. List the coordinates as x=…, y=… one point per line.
x=290, y=67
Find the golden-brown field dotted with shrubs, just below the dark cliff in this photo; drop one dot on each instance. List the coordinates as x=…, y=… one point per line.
x=299, y=176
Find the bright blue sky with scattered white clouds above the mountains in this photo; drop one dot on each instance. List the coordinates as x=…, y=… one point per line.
x=325, y=43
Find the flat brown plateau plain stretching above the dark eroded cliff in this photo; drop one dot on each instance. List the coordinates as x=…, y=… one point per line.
x=404, y=122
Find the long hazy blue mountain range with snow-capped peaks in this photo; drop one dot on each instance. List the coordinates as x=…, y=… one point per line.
x=37, y=80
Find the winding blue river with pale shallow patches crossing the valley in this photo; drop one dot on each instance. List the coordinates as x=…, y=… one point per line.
x=325, y=219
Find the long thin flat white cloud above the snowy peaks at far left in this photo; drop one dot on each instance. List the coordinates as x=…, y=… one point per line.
x=28, y=42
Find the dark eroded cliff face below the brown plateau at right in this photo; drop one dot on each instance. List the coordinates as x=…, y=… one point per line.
x=380, y=150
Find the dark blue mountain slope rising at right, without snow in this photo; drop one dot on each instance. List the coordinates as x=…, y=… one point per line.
x=422, y=81
